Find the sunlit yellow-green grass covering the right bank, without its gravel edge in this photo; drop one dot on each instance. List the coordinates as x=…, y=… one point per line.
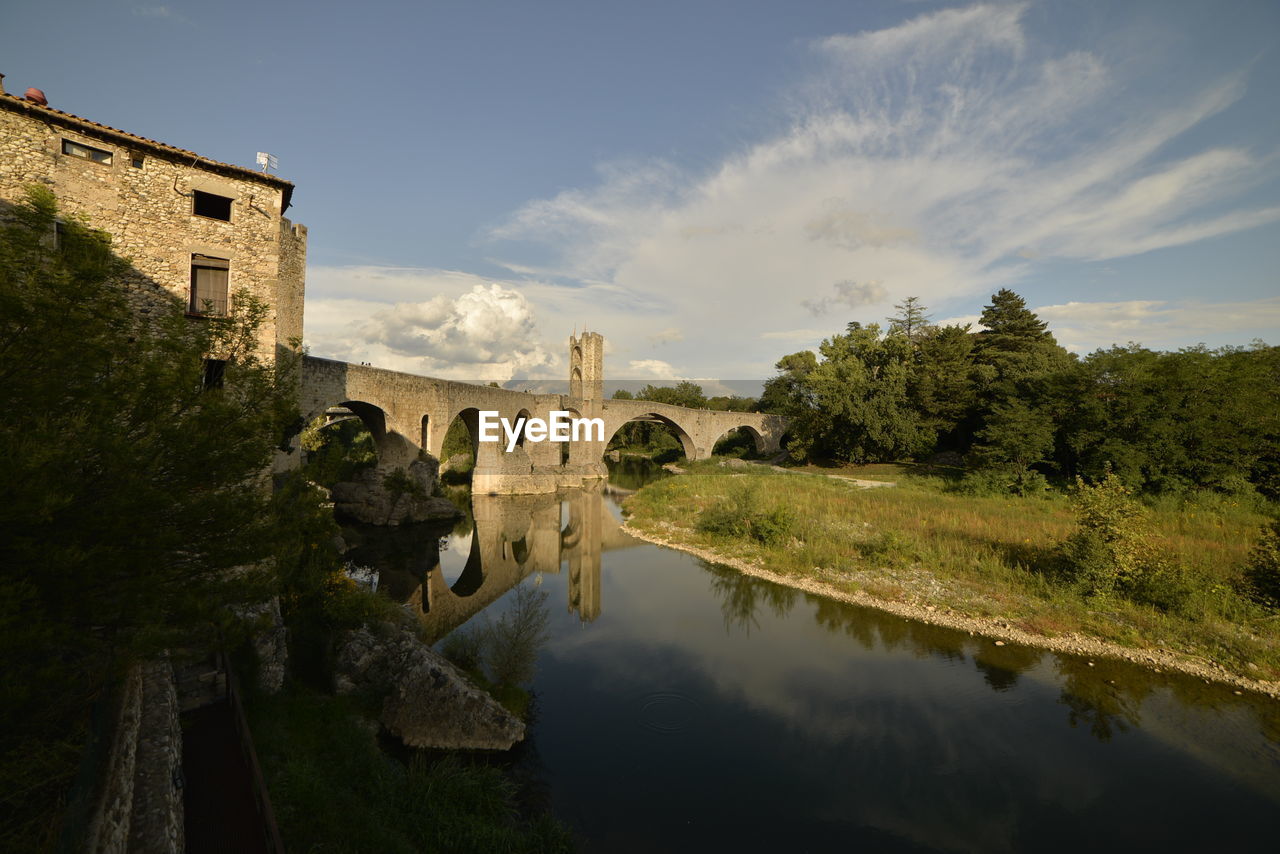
x=977, y=556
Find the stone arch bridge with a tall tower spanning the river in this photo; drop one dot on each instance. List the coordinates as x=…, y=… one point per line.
x=408, y=414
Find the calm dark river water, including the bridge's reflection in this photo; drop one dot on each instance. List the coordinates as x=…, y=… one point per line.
x=683, y=707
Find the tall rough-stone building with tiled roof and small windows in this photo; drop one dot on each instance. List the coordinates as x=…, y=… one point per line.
x=194, y=229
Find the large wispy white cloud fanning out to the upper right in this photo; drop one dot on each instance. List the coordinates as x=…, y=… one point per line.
x=947, y=157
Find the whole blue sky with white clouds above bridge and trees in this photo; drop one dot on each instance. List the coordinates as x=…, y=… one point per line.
x=716, y=184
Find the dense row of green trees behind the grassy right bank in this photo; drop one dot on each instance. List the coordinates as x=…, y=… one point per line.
x=1022, y=409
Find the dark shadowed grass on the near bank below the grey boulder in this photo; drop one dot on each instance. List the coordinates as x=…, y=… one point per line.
x=313, y=747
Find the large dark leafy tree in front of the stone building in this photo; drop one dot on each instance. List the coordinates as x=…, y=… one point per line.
x=135, y=494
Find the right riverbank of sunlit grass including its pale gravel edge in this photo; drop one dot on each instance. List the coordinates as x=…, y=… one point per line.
x=857, y=547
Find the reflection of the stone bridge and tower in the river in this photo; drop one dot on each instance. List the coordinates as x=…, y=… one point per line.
x=513, y=538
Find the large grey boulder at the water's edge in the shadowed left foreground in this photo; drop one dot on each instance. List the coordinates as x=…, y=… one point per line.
x=428, y=702
